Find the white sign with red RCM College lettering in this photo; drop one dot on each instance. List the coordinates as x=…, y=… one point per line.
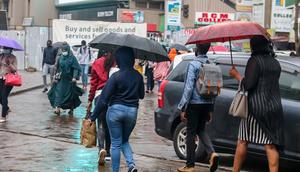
x=206, y=18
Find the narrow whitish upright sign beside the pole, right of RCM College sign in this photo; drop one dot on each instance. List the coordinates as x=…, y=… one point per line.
x=258, y=12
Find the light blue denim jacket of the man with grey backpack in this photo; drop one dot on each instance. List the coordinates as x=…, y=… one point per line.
x=190, y=93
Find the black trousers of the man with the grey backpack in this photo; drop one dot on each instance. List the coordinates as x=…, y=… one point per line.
x=197, y=116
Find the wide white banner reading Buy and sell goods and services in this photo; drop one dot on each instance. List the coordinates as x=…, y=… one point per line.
x=74, y=31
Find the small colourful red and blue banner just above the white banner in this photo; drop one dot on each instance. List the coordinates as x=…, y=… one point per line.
x=132, y=16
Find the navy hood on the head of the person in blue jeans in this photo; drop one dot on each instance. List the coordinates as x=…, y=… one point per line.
x=124, y=57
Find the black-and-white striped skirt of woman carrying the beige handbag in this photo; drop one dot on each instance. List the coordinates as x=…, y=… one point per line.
x=251, y=131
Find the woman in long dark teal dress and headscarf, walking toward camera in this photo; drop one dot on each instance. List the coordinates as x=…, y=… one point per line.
x=64, y=92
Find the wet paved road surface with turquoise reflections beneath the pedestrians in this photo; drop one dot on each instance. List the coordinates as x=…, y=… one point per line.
x=34, y=139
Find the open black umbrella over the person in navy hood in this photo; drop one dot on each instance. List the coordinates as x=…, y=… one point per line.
x=144, y=48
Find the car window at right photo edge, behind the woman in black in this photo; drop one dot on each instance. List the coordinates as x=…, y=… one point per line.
x=289, y=84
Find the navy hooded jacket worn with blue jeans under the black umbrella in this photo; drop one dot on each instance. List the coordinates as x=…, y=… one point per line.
x=124, y=87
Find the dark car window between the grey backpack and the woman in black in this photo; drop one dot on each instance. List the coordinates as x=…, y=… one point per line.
x=229, y=81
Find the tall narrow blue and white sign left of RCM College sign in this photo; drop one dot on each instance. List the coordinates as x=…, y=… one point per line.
x=173, y=15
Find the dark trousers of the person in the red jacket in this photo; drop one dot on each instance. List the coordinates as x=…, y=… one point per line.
x=103, y=132
